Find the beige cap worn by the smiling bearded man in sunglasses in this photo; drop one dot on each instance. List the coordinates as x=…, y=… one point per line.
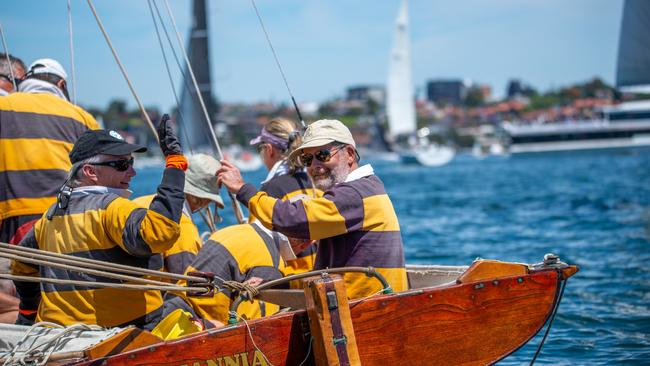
x=323, y=132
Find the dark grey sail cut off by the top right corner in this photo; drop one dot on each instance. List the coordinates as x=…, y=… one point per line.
x=633, y=66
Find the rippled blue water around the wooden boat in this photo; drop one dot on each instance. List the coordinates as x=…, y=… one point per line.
x=592, y=209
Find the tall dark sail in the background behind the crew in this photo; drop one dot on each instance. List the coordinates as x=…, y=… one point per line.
x=200, y=60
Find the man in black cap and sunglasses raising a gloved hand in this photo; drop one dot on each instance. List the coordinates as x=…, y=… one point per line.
x=93, y=218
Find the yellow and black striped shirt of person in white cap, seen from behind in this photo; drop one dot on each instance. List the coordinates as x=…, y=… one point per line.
x=37, y=131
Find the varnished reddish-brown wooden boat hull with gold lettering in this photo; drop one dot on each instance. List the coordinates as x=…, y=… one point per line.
x=471, y=323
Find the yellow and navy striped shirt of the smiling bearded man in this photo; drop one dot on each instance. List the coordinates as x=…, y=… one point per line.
x=355, y=222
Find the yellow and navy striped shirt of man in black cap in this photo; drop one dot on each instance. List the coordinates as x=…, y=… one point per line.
x=103, y=226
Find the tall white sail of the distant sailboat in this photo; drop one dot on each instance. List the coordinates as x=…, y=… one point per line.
x=401, y=105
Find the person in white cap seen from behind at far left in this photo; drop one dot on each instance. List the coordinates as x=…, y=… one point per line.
x=38, y=128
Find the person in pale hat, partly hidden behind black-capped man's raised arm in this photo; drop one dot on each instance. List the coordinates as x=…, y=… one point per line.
x=200, y=189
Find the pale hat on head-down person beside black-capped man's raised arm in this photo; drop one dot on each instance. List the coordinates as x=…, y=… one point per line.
x=201, y=179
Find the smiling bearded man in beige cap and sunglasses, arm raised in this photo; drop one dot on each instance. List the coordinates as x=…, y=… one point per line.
x=354, y=220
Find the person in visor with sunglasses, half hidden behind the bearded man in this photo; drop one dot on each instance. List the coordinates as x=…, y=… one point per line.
x=286, y=179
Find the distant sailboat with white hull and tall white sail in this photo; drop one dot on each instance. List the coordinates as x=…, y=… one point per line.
x=401, y=105
